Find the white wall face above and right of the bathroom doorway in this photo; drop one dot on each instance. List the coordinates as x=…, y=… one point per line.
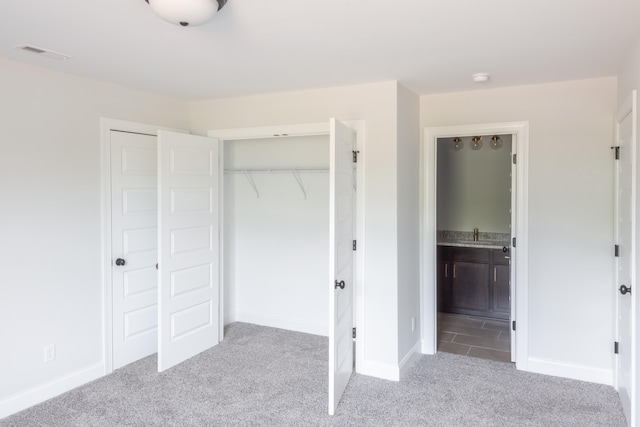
x=571, y=293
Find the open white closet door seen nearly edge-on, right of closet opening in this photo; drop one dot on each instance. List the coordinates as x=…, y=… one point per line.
x=340, y=260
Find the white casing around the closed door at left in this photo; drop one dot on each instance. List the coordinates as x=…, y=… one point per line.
x=106, y=126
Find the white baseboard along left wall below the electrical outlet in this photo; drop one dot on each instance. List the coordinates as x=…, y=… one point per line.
x=39, y=394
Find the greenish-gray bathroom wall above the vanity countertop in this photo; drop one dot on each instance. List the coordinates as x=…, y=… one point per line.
x=474, y=186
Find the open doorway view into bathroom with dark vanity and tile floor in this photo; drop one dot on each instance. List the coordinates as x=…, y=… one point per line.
x=473, y=234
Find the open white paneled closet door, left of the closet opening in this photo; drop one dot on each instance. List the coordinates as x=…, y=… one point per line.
x=188, y=246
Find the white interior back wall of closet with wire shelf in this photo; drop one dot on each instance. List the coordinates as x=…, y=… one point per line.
x=276, y=245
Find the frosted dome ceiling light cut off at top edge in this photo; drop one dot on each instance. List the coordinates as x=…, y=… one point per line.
x=186, y=12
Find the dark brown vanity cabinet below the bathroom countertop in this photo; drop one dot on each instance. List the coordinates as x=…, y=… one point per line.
x=473, y=281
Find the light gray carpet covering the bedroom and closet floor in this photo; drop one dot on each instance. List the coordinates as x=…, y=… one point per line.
x=270, y=377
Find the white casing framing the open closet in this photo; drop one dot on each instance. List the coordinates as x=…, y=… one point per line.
x=308, y=129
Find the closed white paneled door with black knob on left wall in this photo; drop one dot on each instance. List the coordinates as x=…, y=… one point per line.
x=133, y=246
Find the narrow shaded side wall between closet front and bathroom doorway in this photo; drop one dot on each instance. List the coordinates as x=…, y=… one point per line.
x=408, y=119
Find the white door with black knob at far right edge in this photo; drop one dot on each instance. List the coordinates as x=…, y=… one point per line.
x=625, y=233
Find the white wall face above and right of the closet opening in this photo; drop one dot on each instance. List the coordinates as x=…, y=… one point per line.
x=376, y=104
